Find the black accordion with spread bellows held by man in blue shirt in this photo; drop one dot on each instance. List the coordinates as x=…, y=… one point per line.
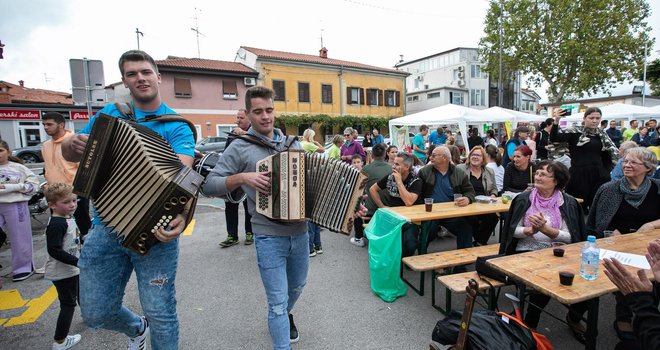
x=137, y=182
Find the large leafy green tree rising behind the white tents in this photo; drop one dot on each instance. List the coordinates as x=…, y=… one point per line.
x=576, y=46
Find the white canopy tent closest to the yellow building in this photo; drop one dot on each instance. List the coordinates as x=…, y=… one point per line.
x=447, y=114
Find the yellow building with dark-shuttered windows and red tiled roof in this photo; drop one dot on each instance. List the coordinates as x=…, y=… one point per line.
x=308, y=84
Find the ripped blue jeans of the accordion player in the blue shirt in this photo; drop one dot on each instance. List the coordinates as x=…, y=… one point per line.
x=105, y=267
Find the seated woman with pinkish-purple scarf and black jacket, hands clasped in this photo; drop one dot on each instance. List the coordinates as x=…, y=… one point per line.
x=536, y=219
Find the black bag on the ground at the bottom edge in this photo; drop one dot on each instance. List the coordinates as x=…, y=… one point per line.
x=487, y=331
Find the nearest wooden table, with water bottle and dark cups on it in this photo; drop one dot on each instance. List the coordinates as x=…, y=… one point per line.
x=540, y=270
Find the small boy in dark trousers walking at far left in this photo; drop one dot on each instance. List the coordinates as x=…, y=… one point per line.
x=63, y=244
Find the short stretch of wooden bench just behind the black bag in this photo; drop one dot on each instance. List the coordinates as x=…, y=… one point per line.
x=456, y=284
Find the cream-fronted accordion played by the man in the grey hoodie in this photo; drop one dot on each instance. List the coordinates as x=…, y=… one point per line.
x=309, y=185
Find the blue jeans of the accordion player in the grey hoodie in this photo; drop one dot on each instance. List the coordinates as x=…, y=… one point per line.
x=283, y=263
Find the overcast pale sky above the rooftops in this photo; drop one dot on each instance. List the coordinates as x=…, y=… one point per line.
x=41, y=36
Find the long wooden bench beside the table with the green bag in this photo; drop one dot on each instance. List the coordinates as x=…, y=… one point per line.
x=445, y=260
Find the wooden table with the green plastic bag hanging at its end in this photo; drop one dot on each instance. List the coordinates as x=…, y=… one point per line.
x=417, y=214
